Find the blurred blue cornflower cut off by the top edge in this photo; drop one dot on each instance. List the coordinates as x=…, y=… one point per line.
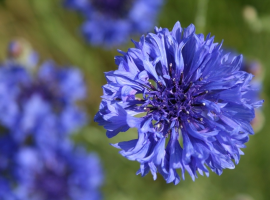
x=111, y=22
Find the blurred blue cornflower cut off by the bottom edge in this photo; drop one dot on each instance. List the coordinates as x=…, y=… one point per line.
x=64, y=174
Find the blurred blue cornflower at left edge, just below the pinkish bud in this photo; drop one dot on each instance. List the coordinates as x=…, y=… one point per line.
x=38, y=102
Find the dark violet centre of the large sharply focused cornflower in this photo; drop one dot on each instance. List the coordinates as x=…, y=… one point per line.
x=174, y=104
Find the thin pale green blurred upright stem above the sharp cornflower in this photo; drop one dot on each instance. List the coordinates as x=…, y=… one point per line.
x=200, y=18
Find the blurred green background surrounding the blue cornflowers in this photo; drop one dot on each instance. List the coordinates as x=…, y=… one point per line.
x=244, y=25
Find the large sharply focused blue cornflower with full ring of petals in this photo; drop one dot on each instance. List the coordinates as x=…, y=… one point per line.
x=190, y=97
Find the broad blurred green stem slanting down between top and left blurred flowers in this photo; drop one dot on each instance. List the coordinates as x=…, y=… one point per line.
x=63, y=40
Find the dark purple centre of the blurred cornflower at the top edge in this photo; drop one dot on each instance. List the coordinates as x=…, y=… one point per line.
x=113, y=8
